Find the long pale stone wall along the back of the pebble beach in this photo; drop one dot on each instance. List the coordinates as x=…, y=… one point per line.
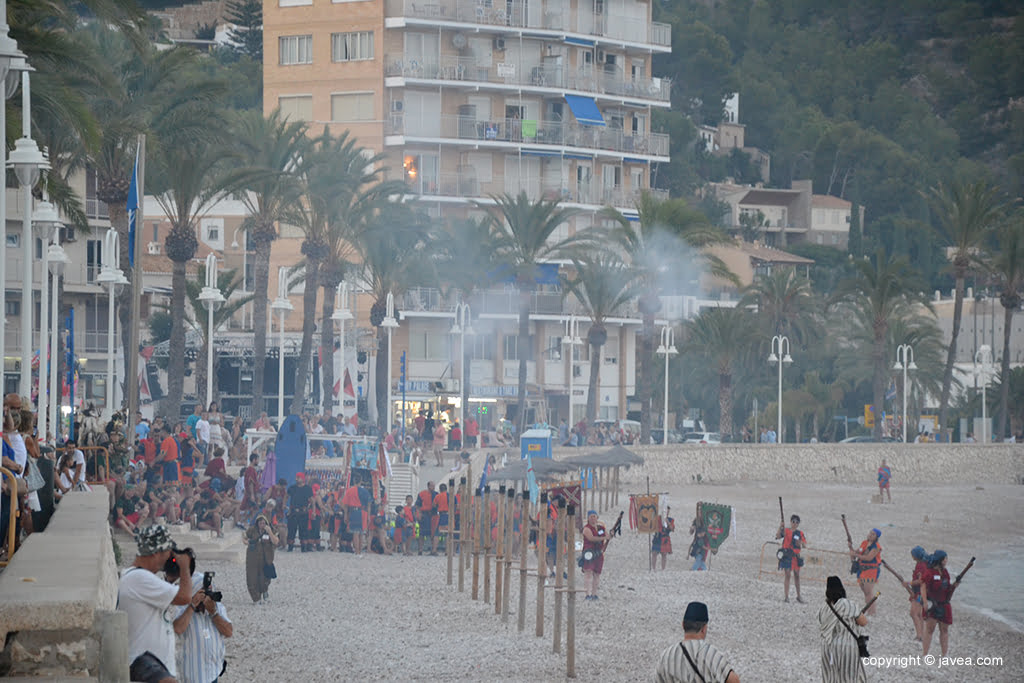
x=832, y=463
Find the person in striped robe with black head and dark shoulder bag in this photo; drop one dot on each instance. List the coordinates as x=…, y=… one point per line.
x=840, y=655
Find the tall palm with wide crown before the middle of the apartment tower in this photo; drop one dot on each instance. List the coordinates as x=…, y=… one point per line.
x=524, y=231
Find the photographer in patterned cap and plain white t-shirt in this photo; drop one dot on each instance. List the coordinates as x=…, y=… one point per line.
x=146, y=600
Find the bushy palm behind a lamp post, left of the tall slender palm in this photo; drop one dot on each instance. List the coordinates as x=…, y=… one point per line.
x=880, y=293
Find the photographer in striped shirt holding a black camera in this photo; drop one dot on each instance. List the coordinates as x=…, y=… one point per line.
x=204, y=624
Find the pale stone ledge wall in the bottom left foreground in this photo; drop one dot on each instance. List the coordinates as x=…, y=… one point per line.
x=58, y=599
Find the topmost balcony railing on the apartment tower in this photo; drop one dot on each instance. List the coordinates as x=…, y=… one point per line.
x=519, y=15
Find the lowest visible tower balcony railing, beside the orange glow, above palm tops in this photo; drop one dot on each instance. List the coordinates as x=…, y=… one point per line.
x=468, y=184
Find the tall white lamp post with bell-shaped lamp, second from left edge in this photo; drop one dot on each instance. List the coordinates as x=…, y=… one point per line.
x=28, y=162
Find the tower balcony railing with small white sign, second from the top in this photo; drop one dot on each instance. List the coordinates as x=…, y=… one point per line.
x=471, y=70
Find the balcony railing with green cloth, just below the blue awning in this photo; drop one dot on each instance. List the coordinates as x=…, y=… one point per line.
x=525, y=132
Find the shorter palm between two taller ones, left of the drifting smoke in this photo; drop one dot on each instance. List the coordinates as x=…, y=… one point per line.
x=604, y=285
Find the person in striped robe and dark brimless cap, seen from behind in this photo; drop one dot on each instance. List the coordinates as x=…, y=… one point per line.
x=694, y=660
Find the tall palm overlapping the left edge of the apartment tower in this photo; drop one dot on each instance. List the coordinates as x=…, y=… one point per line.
x=271, y=149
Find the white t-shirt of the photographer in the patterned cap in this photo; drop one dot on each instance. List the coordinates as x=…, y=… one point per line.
x=147, y=600
